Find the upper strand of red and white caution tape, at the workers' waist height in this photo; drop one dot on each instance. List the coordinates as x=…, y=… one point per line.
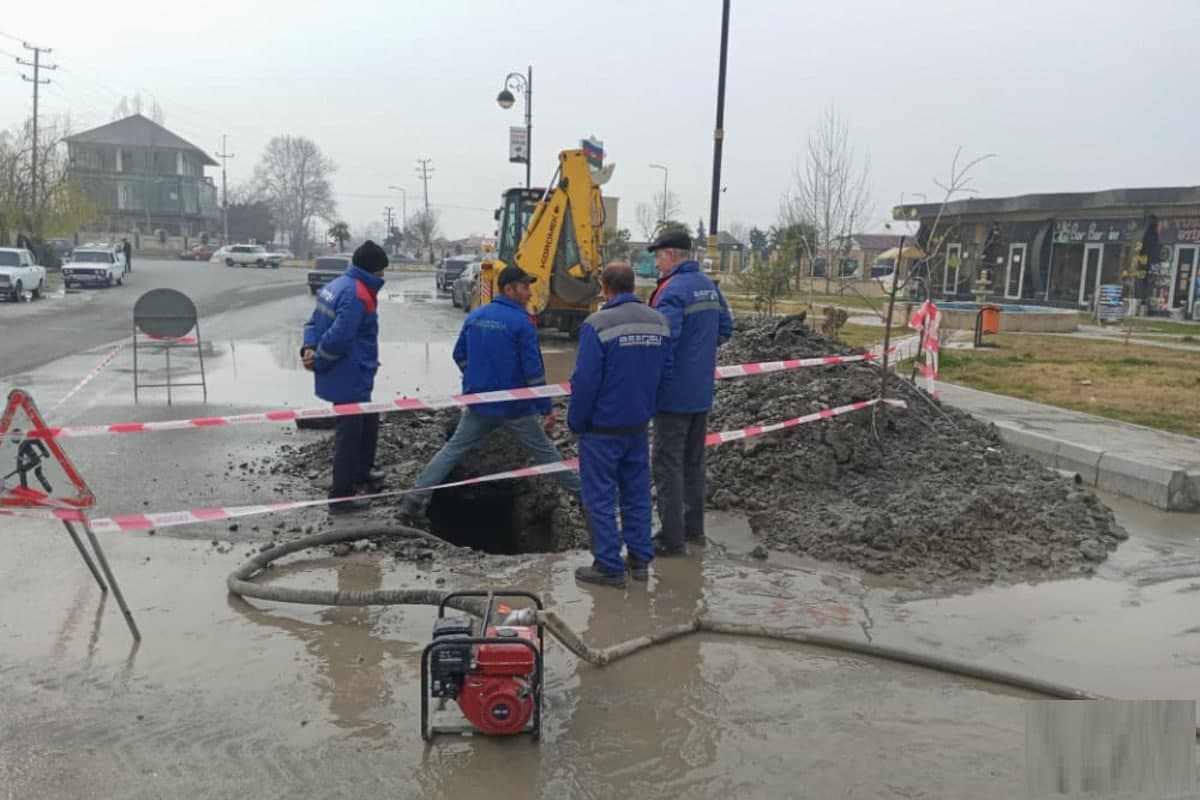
x=405, y=404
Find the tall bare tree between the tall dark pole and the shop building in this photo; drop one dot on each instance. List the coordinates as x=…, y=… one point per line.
x=832, y=191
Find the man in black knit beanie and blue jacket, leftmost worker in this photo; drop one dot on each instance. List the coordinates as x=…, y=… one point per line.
x=341, y=346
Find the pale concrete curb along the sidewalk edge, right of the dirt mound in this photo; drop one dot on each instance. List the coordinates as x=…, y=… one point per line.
x=1163, y=488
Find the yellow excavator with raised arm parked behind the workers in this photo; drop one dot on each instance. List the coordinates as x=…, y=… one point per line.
x=556, y=236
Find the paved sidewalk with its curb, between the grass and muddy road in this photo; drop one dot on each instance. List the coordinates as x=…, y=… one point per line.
x=1159, y=468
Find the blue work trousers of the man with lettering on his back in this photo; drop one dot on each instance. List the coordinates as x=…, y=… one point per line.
x=615, y=472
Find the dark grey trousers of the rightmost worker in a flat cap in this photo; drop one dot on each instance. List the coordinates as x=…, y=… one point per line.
x=680, y=476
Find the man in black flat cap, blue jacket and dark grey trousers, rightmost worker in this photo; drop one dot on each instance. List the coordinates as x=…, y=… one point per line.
x=700, y=323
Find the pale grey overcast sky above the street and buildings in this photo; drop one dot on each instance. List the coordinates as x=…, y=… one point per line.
x=1071, y=95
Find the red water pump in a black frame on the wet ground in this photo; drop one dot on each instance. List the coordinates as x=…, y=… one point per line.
x=495, y=672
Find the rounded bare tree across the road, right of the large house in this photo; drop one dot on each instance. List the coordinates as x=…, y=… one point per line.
x=295, y=179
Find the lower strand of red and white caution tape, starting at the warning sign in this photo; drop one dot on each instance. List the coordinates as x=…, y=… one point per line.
x=171, y=519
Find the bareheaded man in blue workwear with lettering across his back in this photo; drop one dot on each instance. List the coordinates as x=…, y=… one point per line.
x=623, y=363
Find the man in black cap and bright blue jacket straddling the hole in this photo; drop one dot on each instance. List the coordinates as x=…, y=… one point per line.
x=499, y=350
